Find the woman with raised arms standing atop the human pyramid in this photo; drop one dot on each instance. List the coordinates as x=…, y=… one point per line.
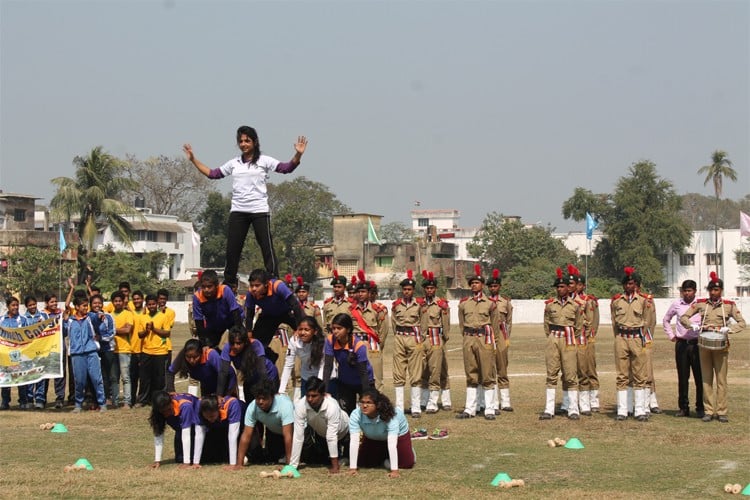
x=249, y=173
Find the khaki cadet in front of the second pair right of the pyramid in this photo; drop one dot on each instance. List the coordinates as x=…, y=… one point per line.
x=476, y=316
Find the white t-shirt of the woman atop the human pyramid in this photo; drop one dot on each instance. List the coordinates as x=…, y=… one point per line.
x=249, y=193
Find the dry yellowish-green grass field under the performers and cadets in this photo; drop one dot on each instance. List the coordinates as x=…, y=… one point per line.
x=667, y=457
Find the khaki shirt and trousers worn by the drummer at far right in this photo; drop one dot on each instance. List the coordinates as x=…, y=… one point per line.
x=714, y=363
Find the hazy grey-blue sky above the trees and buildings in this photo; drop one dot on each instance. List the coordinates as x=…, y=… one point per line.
x=481, y=106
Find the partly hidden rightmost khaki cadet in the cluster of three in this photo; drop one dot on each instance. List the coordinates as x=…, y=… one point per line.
x=588, y=378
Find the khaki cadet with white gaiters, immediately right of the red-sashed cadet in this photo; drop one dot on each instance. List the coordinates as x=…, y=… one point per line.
x=408, y=354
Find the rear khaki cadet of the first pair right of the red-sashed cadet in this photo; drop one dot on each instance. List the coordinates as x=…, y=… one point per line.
x=436, y=327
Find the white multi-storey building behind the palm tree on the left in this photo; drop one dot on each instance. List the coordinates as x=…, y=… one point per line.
x=177, y=239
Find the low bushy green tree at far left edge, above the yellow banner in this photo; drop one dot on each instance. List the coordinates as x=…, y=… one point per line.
x=35, y=271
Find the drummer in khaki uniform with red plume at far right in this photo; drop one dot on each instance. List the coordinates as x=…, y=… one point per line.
x=715, y=314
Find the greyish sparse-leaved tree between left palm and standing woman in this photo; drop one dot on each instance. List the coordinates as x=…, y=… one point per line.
x=168, y=185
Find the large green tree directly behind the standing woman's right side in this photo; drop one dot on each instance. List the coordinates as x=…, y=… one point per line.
x=301, y=216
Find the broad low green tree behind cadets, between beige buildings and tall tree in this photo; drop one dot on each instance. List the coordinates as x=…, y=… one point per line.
x=507, y=244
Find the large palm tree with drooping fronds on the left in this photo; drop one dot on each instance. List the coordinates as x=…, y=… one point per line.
x=94, y=196
